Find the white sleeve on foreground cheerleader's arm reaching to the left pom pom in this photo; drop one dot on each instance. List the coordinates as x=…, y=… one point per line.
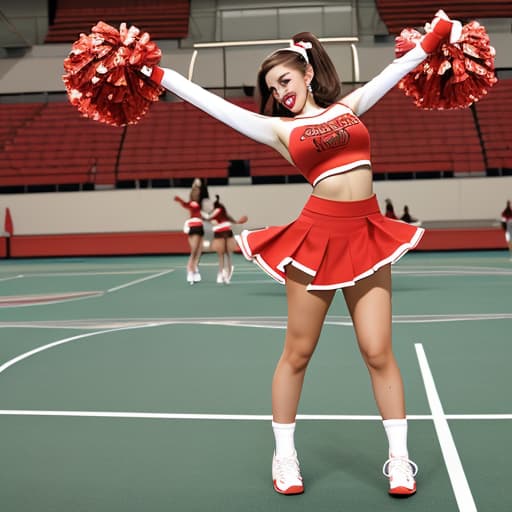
x=255, y=126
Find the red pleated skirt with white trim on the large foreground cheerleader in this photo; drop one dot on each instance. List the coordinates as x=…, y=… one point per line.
x=336, y=242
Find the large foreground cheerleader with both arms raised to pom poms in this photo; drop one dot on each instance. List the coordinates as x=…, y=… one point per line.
x=340, y=240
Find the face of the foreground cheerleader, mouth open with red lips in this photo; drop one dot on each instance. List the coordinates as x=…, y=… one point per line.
x=288, y=86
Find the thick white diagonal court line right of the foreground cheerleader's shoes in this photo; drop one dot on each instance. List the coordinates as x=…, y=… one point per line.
x=451, y=457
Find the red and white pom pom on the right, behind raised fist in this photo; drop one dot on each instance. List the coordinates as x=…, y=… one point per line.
x=455, y=76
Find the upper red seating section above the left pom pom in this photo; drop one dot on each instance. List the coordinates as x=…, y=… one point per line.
x=163, y=19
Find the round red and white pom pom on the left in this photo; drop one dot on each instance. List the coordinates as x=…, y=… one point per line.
x=102, y=78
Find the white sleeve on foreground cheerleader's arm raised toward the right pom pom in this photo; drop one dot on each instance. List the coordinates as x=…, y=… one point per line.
x=364, y=98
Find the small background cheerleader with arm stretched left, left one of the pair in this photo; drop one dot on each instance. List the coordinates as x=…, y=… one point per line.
x=194, y=227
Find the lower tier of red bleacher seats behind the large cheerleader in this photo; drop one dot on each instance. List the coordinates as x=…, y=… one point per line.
x=50, y=143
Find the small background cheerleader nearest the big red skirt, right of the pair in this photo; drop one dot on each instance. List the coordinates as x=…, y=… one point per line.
x=223, y=239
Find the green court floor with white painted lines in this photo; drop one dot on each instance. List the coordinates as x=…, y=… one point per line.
x=123, y=388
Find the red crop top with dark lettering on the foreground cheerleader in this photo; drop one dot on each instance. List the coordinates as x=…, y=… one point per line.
x=330, y=143
